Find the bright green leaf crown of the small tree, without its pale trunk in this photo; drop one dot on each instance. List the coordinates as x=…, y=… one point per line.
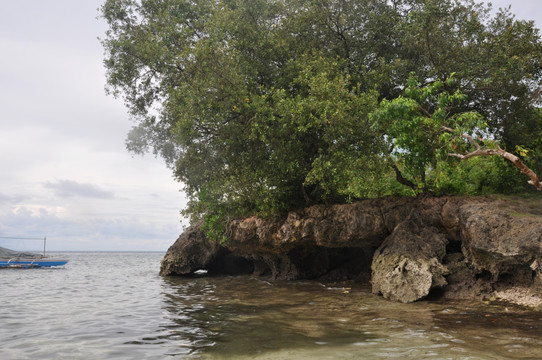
x=415, y=127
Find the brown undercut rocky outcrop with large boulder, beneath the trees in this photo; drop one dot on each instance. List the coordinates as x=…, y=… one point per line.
x=407, y=247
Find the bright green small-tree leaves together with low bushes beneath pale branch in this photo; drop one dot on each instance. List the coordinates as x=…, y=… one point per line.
x=428, y=129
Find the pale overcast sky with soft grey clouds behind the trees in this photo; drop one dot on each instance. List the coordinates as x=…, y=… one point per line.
x=65, y=173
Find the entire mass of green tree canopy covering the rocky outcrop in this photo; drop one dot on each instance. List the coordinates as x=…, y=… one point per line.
x=261, y=106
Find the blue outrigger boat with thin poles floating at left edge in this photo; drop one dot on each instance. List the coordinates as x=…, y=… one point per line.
x=23, y=260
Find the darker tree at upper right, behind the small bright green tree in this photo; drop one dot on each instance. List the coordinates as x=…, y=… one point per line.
x=498, y=61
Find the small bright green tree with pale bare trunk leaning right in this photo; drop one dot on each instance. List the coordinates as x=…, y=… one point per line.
x=427, y=126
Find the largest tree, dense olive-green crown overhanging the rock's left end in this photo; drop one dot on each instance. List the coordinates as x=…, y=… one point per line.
x=245, y=107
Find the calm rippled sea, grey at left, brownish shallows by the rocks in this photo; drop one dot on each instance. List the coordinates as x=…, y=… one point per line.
x=115, y=306
